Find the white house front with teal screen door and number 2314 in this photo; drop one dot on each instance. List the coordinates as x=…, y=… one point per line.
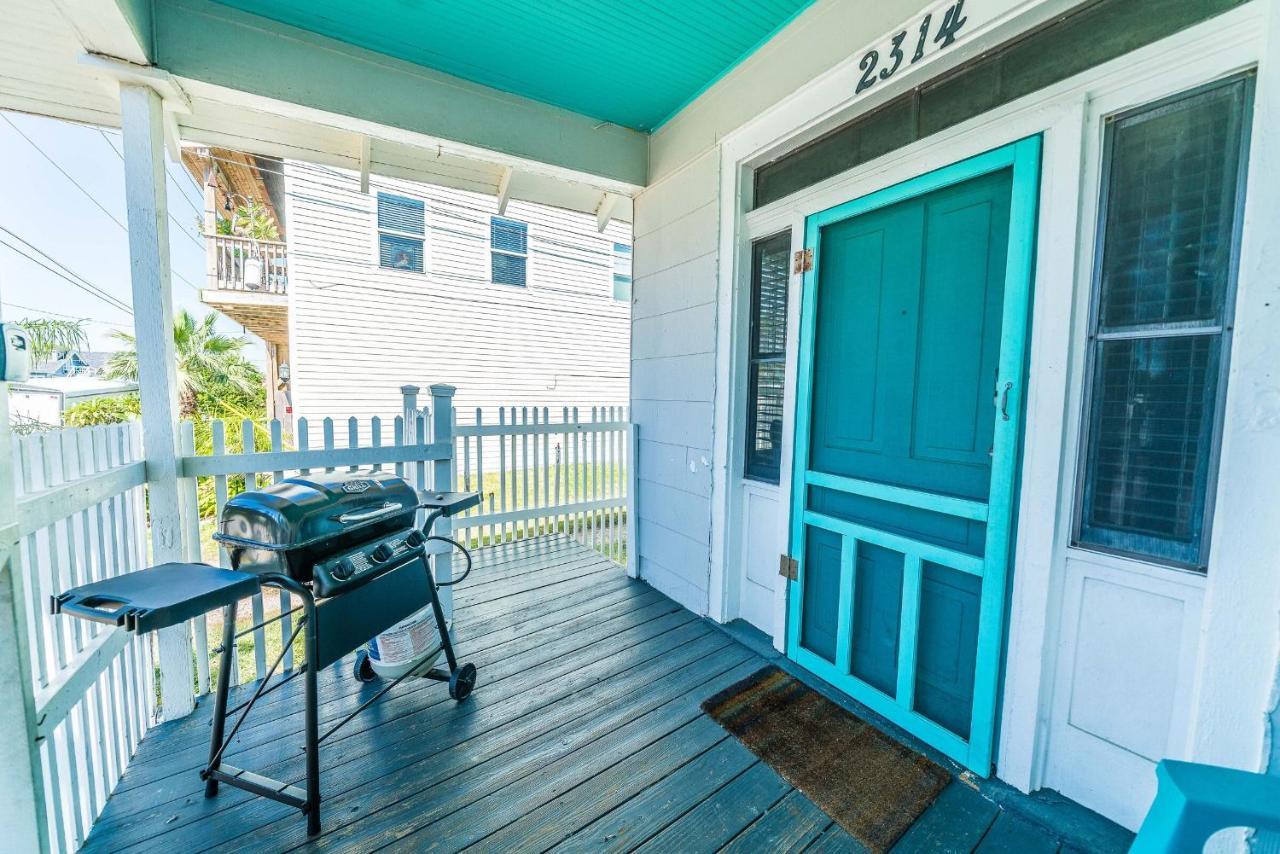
x=1126, y=605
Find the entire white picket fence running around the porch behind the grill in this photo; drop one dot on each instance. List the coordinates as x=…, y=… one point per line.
x=81, y=513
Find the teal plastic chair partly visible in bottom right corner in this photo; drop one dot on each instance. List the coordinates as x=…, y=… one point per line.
x=1194, y=802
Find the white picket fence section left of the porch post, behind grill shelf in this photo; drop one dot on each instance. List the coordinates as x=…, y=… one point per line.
x=81, y=518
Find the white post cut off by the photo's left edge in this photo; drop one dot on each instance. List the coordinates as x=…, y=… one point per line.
x=22, y=798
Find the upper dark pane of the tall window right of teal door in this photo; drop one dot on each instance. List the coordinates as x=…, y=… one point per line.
x=1171, y=209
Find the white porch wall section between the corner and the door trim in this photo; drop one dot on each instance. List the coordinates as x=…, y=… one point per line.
x=674, y=378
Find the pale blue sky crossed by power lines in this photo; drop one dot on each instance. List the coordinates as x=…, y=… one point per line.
x=47, y=209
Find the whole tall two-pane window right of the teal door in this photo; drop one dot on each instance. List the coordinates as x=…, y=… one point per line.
x=1173, y=186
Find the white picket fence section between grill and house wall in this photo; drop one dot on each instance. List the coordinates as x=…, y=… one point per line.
x=541, y=477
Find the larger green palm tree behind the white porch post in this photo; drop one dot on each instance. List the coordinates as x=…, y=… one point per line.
x=207, y=360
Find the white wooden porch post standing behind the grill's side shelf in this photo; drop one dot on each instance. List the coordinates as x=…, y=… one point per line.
x=143, y=125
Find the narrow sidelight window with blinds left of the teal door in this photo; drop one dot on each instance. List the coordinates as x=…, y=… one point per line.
x=767, y=357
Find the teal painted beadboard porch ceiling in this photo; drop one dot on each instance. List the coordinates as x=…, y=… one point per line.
x=634, y=63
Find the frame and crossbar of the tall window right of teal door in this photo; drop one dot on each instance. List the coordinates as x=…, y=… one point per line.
x=1095, y=337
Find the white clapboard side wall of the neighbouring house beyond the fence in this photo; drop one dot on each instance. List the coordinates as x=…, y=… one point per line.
x=359, y=331
